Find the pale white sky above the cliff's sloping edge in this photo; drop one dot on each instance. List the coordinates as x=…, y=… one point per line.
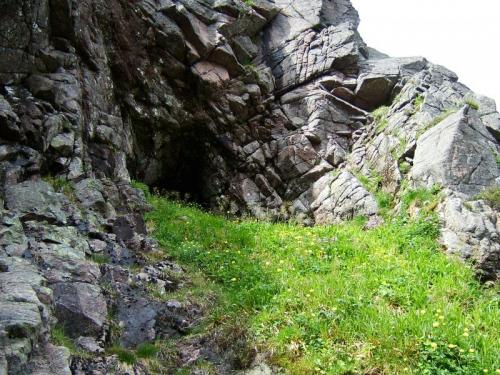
x=462, y=35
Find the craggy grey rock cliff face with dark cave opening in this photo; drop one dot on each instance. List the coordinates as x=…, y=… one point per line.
x=256, y=107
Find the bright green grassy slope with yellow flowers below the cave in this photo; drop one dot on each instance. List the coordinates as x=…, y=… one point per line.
x=338, y=299
